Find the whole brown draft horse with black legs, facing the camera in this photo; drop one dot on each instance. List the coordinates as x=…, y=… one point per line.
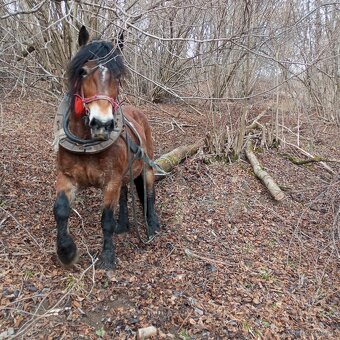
x=94, y=79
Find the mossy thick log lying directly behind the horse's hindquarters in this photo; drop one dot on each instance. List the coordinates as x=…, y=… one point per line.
x=169, y=160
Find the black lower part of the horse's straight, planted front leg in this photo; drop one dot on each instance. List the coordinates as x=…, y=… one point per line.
x=107, y=258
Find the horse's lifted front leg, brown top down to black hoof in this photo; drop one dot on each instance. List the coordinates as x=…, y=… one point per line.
x=66, y=248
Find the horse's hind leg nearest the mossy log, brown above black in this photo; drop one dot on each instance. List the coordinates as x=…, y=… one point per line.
x=153, y=226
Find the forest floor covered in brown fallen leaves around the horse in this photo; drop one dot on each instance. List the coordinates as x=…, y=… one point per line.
x=229, y=261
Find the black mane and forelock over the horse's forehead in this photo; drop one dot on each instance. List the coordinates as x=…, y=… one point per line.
x=103, y=53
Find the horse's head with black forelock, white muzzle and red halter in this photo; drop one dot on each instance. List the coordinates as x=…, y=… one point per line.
x=94, y=79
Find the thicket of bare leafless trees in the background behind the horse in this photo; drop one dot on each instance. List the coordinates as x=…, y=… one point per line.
x=209, y=52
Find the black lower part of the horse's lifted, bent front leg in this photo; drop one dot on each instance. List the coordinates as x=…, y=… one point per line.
x=66, y=248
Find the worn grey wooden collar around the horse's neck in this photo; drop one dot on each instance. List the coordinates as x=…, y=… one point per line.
x=62, y=140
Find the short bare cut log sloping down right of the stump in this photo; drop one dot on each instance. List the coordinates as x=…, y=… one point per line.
x=266, y=179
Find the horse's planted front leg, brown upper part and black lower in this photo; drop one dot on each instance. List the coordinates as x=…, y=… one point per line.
x=107, y=259
